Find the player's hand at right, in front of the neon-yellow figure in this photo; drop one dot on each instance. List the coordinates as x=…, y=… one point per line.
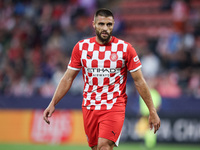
x=154, y=121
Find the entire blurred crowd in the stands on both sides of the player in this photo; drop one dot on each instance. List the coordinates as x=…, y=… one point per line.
x=37, y=38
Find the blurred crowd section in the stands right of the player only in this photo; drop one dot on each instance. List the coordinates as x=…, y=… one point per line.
x=171, y=53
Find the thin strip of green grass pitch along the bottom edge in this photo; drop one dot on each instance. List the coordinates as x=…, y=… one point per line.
x=123, y=146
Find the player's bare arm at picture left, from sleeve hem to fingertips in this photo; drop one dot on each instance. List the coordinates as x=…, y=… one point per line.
x=62, y=88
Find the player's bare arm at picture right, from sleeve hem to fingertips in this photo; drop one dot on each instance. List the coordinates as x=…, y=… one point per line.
x=143, y=90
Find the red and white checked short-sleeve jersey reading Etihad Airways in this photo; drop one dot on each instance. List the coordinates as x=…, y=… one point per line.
x=104, y=69
